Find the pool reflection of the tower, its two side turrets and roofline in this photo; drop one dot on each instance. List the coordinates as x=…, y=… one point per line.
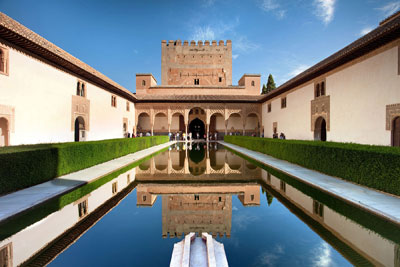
x=193, y=208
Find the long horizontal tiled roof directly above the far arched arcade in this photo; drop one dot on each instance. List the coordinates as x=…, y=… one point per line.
x=199, y=98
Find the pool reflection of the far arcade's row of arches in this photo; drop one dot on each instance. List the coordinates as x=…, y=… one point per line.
x=197, y=160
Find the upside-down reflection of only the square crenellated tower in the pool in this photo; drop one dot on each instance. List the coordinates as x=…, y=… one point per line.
x=211, y=213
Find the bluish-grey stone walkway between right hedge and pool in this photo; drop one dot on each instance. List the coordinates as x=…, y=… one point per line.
x=382, y=204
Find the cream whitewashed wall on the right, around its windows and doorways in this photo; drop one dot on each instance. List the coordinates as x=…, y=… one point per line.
x=359, y=93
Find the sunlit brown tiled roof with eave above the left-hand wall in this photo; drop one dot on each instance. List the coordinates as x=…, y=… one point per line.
x=16, y=33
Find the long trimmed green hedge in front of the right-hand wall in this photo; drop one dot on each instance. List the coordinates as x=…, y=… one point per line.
x=373, y=166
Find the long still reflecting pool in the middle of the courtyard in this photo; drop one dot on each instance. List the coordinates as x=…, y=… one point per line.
x=263, y=218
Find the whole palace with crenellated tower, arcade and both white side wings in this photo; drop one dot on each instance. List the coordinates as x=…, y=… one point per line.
x=48, y=96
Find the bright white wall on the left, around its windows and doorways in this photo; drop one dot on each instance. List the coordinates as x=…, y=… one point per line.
x=42, y=96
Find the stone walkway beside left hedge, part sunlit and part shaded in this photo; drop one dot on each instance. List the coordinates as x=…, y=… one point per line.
x=19, y=201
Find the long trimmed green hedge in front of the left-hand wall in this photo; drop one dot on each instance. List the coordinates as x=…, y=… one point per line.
x=28, y=165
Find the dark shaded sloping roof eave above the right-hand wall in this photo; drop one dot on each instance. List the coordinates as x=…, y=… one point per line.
x=382, y=35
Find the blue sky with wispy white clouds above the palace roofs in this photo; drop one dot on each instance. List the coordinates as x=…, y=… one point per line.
x=121, y=38
